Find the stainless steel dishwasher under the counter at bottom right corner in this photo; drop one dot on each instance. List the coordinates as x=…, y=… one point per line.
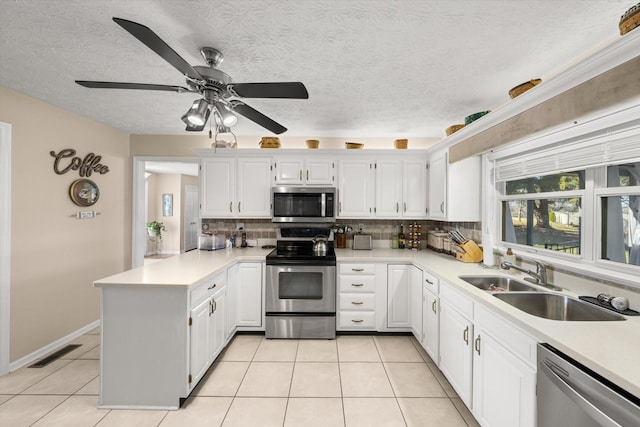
x=571, y=395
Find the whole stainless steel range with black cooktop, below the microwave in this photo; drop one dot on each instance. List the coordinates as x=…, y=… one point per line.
x=301, y=284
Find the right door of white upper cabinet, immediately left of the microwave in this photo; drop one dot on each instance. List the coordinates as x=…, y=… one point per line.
x=254, y=188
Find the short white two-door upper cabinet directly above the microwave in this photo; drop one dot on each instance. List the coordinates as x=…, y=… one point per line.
x=304, y=171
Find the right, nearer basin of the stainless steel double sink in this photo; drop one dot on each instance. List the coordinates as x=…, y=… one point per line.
x=557, y=307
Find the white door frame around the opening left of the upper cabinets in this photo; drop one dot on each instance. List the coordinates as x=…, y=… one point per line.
x=138, y=208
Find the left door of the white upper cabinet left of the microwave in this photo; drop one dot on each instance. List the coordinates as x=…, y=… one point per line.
x=217, y=185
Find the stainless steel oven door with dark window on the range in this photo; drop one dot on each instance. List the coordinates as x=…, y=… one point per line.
x=301, y=289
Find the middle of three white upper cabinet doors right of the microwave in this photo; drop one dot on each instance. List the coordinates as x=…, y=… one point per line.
x=388, y=188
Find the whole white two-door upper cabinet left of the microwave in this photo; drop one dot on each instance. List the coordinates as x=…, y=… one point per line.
x=233, y=188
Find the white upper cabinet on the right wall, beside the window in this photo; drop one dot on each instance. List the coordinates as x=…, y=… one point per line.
x=454, y=189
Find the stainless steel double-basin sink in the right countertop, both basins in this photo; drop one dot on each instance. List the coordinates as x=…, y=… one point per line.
x=532, y=300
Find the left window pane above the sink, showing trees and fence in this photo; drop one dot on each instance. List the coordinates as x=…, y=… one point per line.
x=545, y=212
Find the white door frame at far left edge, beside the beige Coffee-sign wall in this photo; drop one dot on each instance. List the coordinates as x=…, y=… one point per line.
x=5, y=245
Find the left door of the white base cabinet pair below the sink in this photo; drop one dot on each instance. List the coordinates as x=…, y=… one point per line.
x=456, y=334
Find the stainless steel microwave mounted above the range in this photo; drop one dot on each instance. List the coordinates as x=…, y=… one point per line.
x=303, y=204
